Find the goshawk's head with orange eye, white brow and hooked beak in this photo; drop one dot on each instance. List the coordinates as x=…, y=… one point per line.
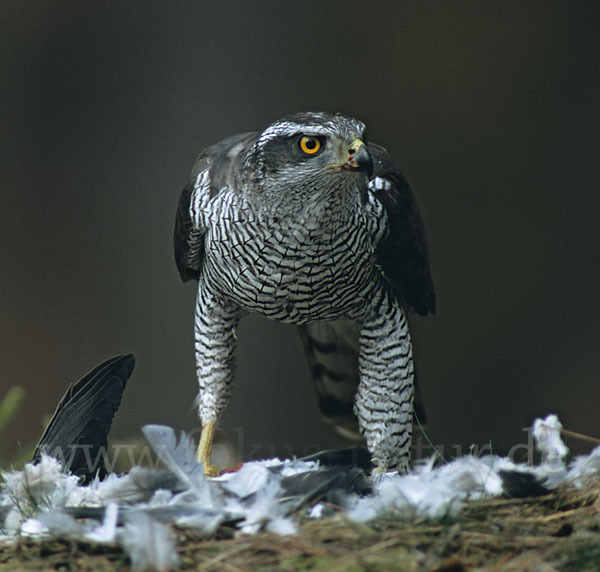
x=309, y=153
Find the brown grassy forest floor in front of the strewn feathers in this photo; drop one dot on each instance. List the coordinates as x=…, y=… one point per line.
x=558, y=531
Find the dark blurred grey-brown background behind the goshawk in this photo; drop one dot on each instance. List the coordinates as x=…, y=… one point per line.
x=491, y=109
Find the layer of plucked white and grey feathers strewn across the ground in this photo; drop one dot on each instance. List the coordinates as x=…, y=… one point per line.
x=137, y=509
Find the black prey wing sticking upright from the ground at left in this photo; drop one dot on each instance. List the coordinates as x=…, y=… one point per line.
x=78, y=431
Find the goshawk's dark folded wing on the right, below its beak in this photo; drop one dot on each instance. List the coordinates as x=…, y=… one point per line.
x=402, y=254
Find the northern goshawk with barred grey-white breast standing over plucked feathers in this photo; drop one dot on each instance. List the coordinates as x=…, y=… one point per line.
x=306, y=223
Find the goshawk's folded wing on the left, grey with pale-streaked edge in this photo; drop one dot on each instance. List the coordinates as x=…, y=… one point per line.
x=216, y=168
